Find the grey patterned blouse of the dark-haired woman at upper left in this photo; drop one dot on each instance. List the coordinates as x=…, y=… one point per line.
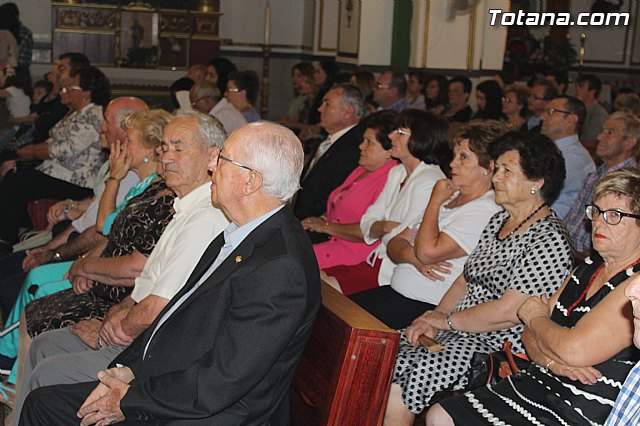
x=74, y=147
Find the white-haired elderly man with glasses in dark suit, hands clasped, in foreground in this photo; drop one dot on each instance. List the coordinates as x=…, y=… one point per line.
x=225, y=349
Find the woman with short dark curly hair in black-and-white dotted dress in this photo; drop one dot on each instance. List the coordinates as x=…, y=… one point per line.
x=523, y=251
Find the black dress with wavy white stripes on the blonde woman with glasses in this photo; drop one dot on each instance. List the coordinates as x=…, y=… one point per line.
x=538, y=397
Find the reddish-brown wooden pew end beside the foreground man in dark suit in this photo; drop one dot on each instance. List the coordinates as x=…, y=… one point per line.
x=345, y=373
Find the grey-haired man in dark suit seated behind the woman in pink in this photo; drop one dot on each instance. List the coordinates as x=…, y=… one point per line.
x=341, y=110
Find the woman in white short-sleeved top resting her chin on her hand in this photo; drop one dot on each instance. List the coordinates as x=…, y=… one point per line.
x=430, y=254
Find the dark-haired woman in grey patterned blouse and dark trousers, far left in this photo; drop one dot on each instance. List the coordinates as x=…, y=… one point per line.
x=72, y=155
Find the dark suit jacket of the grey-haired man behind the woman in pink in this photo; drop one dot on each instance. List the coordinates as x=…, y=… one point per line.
x=327, y=174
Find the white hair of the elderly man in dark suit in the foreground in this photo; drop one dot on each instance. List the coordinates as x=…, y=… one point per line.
x=276, y=153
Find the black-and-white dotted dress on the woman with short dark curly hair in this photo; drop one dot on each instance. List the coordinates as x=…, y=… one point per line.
x=535, y=262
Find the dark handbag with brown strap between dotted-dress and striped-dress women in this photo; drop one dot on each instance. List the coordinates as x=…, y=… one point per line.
x=489, y=369
